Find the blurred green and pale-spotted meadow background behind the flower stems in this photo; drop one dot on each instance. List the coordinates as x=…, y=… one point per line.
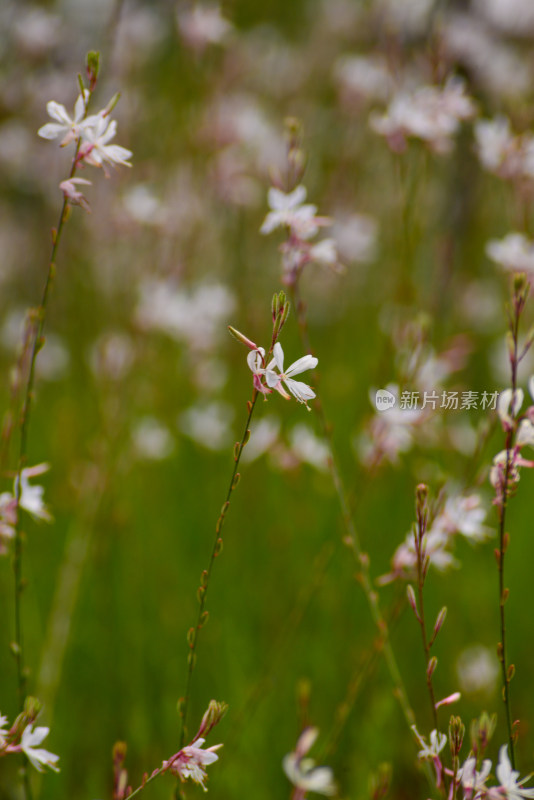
x=141, y=392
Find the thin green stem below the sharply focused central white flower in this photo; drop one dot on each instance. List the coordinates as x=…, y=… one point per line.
x=206, y=575
